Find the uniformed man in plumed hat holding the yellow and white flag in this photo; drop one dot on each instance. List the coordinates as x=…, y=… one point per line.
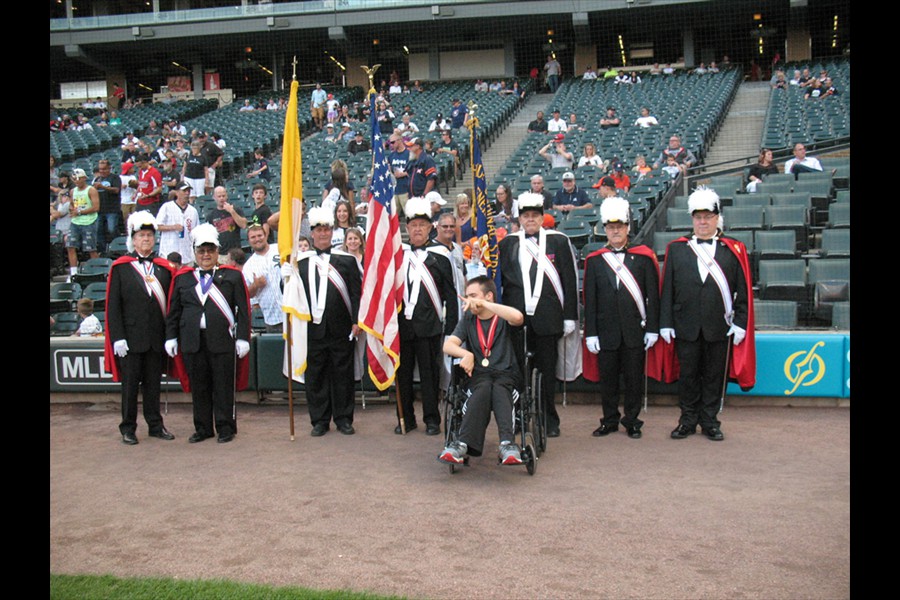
x=333, y=285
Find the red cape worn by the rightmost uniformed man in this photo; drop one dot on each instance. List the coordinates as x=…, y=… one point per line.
x=742, y=365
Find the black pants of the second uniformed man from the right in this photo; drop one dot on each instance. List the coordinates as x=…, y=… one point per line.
x=628, y=362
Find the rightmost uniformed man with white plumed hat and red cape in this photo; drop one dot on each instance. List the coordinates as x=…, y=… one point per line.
x=705, y=308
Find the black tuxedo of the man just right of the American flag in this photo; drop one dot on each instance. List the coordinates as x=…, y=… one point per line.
x=420, y=337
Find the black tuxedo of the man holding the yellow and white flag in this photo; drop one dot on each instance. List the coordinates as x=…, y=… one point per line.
x=329, y=373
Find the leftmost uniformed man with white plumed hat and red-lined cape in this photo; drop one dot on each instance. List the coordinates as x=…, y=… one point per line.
x=137, y=296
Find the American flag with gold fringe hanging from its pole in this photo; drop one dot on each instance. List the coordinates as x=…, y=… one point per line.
x=382, y=281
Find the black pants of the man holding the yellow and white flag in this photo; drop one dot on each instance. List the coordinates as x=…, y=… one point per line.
x=329, y=381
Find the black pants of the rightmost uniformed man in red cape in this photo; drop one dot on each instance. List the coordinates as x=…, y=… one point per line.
x=701, y=380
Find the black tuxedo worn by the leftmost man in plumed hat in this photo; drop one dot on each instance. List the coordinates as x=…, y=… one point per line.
x=133, y=315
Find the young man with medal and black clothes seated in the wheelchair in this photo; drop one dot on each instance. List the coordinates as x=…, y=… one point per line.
x=483, y=343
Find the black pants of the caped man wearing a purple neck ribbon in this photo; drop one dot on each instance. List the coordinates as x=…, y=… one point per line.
x=212, y=389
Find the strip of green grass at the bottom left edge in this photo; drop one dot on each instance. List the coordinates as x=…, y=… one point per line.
x=107, y=587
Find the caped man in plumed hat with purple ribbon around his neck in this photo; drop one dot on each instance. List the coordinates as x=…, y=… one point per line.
x=208, y=324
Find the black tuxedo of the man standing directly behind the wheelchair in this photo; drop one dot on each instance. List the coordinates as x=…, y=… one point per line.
x=545, y=327
